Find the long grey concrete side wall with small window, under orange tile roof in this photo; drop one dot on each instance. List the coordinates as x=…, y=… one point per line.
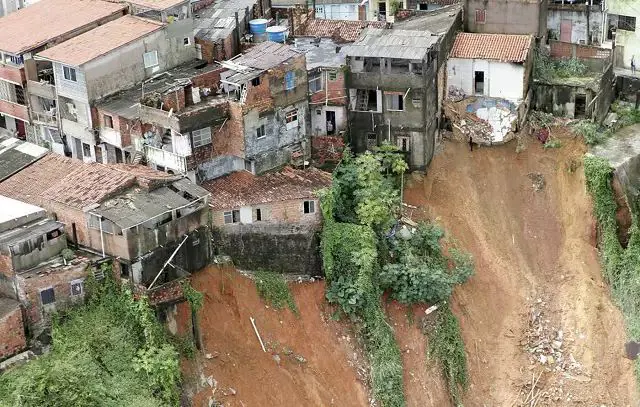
x=124, y=67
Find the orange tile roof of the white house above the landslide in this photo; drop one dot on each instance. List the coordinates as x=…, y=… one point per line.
x=501, y=47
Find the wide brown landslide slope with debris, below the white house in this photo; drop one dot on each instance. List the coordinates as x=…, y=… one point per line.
x=526, y=219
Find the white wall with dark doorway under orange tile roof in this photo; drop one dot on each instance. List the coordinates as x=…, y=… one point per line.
x=501, y=79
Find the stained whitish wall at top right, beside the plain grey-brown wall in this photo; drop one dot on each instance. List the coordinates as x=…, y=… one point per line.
x=584, y=22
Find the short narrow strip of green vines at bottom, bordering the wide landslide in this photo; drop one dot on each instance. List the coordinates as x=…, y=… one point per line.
x=447, y=346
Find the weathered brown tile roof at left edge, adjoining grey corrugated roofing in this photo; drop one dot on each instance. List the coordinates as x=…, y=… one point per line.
x=71, y=182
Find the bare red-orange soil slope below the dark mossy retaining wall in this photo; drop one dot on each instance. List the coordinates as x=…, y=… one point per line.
x=310, y=360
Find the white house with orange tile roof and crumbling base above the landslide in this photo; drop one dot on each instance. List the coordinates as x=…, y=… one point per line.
x=488, y=84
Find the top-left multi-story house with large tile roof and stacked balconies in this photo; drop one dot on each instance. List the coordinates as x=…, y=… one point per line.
x=27, y=94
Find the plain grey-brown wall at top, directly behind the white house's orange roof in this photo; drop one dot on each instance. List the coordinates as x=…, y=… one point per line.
x=508, y=17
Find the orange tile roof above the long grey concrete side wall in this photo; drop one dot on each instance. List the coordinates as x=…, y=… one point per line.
x=100, y=41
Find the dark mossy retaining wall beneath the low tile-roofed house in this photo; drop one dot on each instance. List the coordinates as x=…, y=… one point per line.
x=286, y=248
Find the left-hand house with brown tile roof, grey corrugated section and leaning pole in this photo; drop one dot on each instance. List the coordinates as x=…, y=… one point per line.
x=133, y=213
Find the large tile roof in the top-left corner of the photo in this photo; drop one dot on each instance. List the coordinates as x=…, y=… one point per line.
x=47, y=20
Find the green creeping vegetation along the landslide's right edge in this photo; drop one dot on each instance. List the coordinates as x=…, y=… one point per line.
x=621, y=267
